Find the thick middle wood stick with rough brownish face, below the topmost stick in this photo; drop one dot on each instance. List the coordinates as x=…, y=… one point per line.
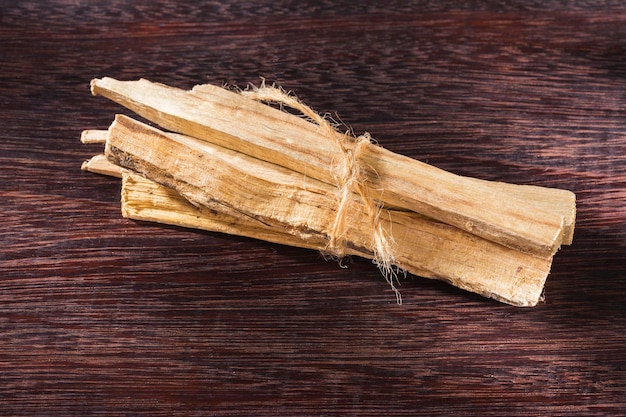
x=269, y=196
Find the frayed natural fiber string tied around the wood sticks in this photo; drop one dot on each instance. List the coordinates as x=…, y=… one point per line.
x=349, y=179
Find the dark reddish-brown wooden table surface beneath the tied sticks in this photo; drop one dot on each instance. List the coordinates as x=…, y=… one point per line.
x=104, y=316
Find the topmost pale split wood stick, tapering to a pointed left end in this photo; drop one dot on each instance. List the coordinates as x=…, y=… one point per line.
x=525, y=218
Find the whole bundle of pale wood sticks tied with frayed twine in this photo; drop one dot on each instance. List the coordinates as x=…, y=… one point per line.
x=231, y=162
